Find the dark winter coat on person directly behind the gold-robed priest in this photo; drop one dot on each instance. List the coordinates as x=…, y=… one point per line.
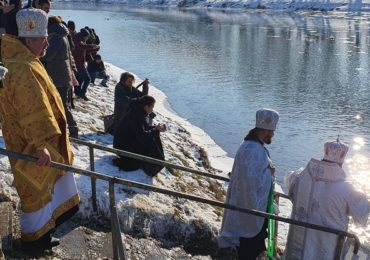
x=57, y=59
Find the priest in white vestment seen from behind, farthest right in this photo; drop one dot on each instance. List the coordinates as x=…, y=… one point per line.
x=321, y=195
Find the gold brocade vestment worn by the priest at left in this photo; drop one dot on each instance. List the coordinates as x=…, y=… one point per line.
x=33, y=119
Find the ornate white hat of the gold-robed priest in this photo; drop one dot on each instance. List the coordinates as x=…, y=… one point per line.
x=32, y=23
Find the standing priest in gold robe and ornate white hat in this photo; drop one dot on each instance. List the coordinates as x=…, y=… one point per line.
x=34, y=123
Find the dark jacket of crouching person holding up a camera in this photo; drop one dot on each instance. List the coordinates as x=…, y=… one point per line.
x=122, y=98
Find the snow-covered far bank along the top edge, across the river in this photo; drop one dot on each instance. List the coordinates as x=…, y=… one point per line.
x=289, y=5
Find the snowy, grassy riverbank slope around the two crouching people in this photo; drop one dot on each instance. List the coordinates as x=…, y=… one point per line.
x=173, y=222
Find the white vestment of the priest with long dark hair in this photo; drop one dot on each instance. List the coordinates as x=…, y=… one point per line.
x=249, y=187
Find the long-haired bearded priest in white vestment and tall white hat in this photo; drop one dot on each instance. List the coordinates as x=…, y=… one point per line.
x=249, y=187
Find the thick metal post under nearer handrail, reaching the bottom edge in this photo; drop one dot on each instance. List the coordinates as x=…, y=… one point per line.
x=119, y=250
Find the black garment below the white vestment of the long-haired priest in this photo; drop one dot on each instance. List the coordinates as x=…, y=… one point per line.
x=250, y=248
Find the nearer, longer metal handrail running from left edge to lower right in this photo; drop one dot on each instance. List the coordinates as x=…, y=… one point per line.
x=114, y=180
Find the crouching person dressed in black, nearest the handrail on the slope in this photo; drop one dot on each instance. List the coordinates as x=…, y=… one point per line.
x=133, y=134
